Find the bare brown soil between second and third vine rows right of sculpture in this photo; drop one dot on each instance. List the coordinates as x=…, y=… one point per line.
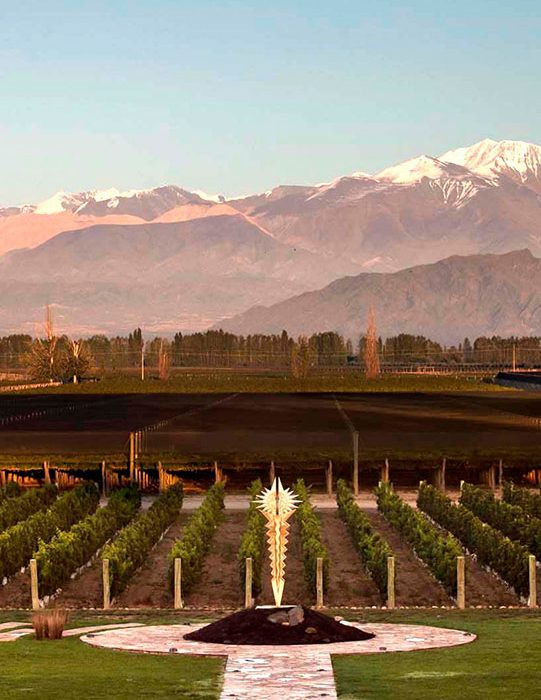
x=415, y=585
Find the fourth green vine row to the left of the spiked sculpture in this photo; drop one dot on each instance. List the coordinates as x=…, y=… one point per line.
x=67, y=551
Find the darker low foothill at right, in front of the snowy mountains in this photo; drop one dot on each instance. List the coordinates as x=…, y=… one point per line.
x=448, y=300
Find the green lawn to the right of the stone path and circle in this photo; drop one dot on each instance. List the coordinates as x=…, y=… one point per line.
x=504, y=663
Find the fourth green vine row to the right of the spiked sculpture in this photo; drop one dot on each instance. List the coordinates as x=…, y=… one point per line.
x=508, y=559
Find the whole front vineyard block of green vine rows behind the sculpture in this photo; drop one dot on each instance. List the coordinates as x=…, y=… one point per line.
x=76, y=549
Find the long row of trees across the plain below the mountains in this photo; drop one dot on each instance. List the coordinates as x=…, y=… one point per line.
x=54, y=357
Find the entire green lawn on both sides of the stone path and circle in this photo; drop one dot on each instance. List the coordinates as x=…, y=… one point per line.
x=504, y=663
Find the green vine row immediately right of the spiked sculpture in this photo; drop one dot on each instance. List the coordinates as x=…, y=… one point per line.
x=311, y=544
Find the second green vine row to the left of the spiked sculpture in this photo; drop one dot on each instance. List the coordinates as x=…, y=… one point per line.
x=196, y=539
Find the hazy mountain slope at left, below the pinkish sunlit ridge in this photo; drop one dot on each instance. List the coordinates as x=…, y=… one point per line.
x=167, y=276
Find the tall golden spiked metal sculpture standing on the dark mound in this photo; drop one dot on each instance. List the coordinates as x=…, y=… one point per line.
x=277, y=505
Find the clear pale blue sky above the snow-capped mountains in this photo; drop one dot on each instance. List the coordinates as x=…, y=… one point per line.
x=236, y=97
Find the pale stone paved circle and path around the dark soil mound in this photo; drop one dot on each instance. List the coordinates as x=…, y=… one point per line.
x=301, y=671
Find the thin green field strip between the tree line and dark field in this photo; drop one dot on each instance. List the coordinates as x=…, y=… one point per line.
x=223, y=381
